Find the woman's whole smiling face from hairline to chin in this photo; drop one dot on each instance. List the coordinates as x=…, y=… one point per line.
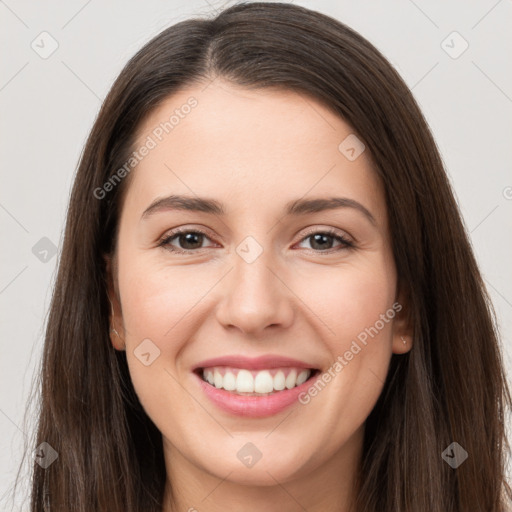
x=283, y=270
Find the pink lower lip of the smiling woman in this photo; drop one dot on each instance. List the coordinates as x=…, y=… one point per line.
x=254, y=406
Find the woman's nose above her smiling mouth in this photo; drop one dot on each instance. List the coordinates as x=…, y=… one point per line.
x=255, y=297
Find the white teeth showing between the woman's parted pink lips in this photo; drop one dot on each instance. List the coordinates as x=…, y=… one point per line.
x=240, y=381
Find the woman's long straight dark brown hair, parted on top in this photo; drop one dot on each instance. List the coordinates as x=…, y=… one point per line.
x=450, y=388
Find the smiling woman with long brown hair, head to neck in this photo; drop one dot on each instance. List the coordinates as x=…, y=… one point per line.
x=266, y=298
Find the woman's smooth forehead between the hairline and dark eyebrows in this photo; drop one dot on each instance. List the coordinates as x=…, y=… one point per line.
x=246, y=147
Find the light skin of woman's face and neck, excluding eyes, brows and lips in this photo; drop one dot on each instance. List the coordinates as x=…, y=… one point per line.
x=254, y=151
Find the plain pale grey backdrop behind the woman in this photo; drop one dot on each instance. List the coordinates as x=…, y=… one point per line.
x=455, y=56
